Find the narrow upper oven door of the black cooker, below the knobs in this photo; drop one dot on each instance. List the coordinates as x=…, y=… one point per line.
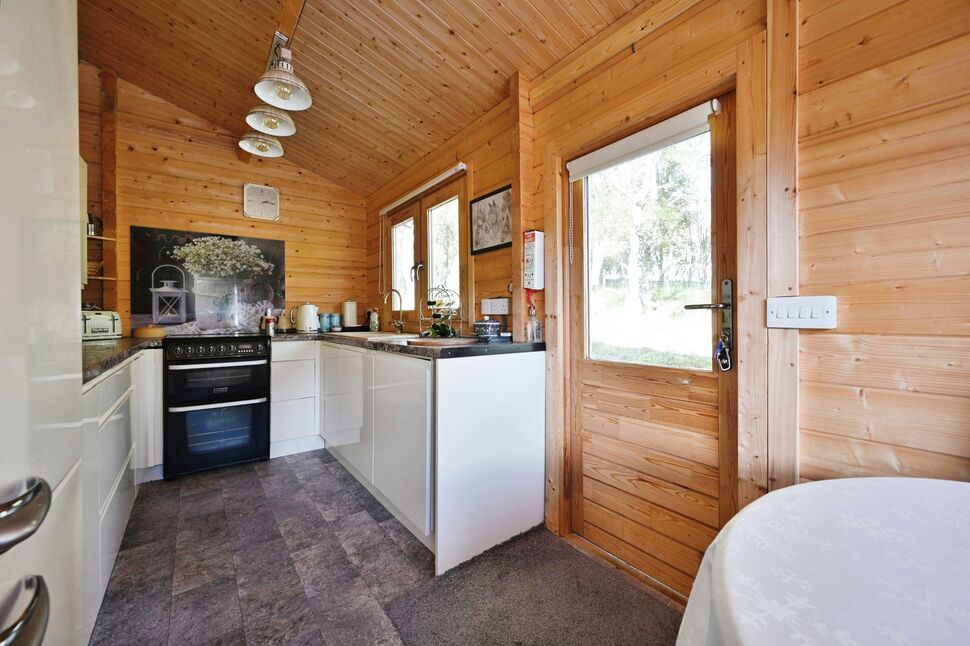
x=216, y=381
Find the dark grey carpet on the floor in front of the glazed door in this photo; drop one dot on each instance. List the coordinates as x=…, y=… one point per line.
x=534, y=589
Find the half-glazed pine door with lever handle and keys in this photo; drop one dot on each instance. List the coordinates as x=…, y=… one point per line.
x=652, y=417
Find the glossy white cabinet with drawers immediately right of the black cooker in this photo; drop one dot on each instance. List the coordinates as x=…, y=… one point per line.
x=294, y=393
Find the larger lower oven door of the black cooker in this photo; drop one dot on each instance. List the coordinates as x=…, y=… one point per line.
x=202, y=436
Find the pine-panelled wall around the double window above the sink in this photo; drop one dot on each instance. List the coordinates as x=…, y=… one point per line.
x=486, y=146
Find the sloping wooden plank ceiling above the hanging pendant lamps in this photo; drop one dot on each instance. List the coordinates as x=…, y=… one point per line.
x=390, y=79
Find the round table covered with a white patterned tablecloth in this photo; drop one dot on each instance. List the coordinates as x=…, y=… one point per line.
x=856, y=561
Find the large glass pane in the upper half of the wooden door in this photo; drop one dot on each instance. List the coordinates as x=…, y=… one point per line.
x=647, y=254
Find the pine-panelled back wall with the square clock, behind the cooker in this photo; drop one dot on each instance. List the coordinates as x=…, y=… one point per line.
x=178, y=171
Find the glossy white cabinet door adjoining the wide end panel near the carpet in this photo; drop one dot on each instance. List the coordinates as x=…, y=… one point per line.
x=403, y=436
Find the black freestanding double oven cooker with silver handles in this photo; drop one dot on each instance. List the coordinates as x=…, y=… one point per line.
x=217, y=399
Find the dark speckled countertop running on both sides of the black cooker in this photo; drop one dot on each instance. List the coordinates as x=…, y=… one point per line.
x=97, y=357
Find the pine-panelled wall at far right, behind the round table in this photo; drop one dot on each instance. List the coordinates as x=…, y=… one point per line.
x=884, y=173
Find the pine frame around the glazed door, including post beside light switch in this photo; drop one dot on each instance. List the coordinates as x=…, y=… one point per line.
x=765, y=139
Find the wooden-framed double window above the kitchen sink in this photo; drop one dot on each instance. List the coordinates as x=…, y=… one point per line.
x=426, y=249
